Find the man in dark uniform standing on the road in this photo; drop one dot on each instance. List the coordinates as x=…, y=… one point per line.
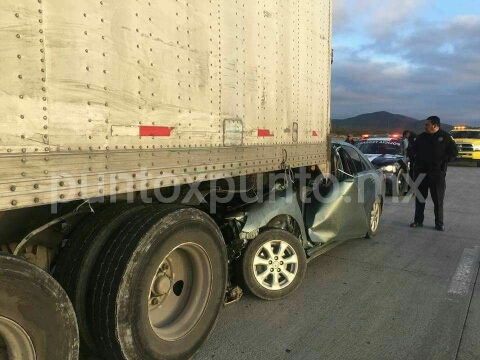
x=431, y=151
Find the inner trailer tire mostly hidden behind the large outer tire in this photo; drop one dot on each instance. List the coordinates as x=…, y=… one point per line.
x=77, y=258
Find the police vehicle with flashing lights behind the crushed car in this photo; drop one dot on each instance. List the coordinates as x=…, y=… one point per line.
x=388, y=154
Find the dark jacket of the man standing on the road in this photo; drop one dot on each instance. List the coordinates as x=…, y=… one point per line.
x=433, y=151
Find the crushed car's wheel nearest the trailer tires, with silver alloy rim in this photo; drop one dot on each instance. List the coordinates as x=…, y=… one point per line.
x=258, y=249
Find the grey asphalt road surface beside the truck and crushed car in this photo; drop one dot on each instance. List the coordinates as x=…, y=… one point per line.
x=406, y=294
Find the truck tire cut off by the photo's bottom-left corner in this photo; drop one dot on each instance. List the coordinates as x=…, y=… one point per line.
x=31, y=300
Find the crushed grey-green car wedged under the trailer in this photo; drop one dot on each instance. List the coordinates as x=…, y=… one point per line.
x=297, y=222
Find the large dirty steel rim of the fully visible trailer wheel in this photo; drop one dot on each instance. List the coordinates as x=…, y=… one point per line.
x=179, y=292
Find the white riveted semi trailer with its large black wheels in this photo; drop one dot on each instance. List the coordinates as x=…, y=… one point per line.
x=113, y=113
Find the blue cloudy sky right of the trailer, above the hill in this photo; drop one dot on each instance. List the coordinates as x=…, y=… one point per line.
x=411, y=57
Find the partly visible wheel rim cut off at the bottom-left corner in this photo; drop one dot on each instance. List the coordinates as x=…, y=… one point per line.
x=18, y=343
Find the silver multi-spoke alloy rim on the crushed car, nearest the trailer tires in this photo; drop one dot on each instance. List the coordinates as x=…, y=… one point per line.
x=275, y=265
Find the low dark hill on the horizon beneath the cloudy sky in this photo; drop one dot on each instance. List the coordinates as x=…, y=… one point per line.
x=381, y=122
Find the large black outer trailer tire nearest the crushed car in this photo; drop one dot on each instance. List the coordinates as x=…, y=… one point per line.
x=121, y=291
